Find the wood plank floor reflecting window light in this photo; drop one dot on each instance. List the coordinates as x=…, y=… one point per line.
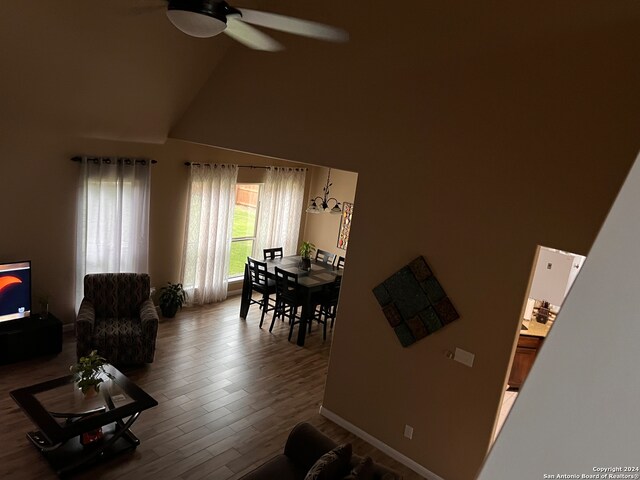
x=228, y=393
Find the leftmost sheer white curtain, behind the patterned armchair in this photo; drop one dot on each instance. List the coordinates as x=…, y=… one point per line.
x=112, y=228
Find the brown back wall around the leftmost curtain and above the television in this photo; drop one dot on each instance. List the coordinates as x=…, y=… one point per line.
x=39, y=183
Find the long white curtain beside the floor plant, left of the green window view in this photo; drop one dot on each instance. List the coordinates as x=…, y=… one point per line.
x=207, y=243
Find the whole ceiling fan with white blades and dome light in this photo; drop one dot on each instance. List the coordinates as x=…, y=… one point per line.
x=208, y=18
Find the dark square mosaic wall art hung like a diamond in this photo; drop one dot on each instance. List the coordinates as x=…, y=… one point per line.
x=414, y=302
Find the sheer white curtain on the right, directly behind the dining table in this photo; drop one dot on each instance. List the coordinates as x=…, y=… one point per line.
x=281, y=206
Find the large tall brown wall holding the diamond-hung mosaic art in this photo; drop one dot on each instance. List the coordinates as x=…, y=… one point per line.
x=478, y=131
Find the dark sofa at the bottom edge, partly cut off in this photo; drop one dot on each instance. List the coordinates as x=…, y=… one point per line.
x=304, y=447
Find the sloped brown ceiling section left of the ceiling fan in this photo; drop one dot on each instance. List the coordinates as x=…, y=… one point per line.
x=114, y=69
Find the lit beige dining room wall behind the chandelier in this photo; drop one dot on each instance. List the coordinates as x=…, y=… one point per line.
x=322, y=229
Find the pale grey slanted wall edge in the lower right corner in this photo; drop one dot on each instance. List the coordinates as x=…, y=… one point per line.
x=578, y=410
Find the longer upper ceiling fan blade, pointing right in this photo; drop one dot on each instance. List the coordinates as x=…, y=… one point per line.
x=293, y=25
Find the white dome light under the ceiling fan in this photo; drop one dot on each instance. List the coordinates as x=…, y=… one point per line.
x=198, y=18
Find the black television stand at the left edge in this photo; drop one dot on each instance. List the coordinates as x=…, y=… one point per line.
x=30, y=337
